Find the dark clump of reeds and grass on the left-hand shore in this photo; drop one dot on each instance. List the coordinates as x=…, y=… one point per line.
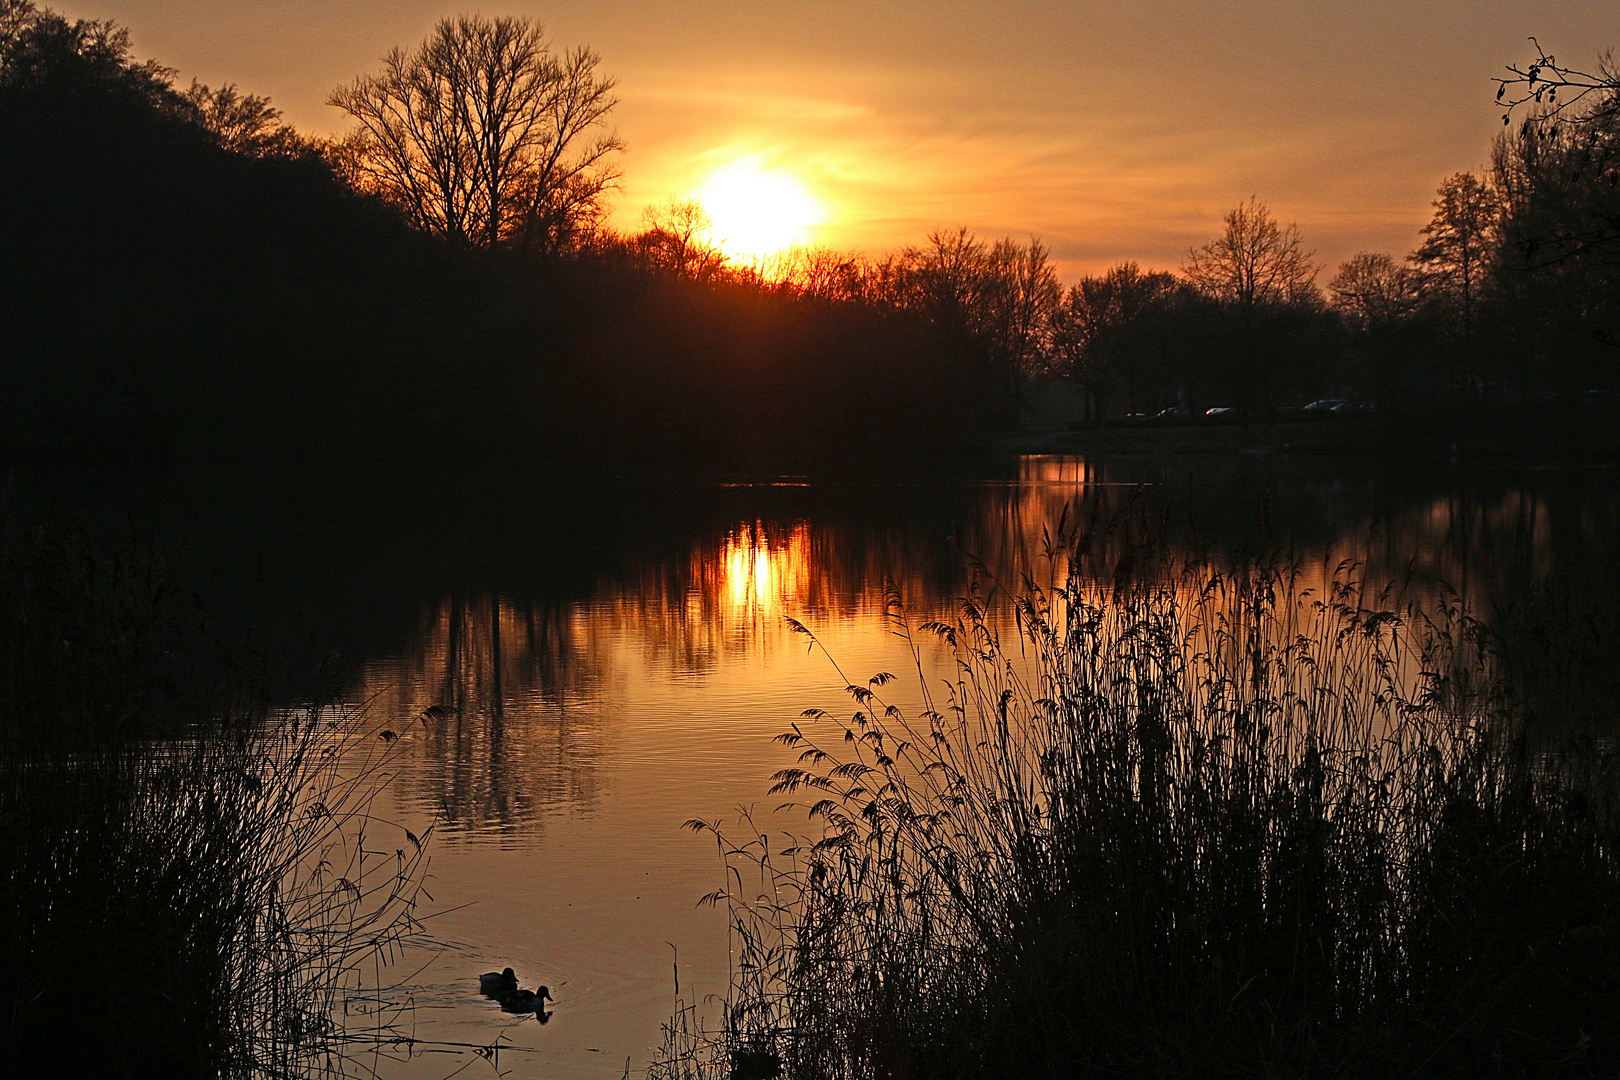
x=192, y=883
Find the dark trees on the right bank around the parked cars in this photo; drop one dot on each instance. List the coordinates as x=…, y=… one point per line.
x=1507, y=308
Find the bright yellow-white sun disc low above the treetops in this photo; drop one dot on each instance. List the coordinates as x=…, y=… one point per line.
x=757, y=213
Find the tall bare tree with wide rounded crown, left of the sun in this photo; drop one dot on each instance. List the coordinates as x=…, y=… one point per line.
x=485, y=137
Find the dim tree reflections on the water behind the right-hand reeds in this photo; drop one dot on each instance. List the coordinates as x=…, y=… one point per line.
x=1488, y=535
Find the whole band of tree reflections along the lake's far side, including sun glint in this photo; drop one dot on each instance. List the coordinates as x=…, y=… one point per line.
x=506, y=697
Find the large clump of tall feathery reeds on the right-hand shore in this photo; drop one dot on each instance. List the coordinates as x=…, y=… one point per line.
x=1172, y=817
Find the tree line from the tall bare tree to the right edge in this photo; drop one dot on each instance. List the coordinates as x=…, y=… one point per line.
x=1509, y=297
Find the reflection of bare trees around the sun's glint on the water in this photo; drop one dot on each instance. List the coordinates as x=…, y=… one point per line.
x=503, y=700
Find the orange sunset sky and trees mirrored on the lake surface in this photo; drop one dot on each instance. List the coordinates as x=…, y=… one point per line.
x=566, y=742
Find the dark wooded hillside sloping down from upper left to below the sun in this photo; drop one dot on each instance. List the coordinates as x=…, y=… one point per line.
x=187, y=276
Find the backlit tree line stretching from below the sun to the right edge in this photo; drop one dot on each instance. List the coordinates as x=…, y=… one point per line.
x=1512, y=296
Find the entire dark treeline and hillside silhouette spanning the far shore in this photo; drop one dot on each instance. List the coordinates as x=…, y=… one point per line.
x=185, y=274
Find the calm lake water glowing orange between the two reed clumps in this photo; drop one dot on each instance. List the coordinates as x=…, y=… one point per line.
x=586, y=699
